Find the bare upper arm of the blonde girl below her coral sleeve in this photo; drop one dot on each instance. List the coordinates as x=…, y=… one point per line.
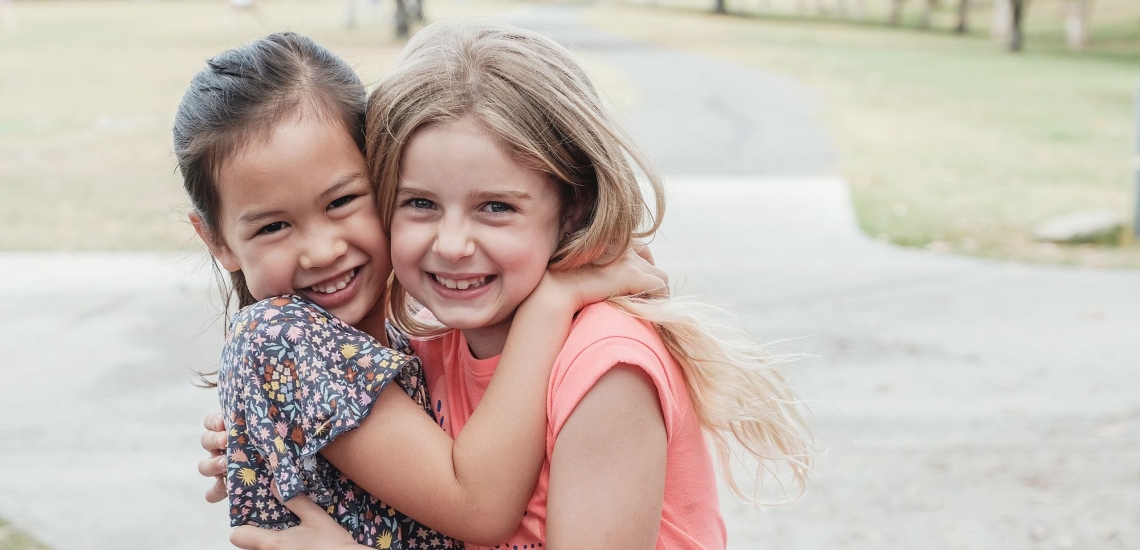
x=608, y=468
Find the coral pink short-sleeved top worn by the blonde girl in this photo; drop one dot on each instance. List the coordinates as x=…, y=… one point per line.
x=600, y=338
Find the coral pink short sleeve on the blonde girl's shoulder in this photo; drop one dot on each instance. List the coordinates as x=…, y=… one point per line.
x=572, y=381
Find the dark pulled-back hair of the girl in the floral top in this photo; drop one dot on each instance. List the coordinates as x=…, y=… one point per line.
x=239, y=100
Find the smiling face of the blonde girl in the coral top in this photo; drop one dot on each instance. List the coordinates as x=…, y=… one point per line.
x=473, y=231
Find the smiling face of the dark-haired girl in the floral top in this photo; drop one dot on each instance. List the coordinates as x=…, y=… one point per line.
x=298, y=217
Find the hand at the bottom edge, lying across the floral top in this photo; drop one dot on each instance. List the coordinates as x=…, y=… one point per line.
x=317, y=531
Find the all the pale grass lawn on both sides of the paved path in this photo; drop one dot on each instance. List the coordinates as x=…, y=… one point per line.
x=949, y=142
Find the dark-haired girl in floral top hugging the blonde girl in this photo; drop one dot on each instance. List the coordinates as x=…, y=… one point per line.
x=270, y=141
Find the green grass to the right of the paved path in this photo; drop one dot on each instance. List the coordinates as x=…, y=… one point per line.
x=950, y=142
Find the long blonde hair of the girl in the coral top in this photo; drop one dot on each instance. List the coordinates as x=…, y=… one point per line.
x=530, y=92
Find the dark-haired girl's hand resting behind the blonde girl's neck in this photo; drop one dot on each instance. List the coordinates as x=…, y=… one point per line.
x=632, y=274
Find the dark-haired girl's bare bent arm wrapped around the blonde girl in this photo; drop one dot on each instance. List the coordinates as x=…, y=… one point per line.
x=470, y=489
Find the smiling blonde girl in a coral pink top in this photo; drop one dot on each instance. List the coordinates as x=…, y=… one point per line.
x=491, y=149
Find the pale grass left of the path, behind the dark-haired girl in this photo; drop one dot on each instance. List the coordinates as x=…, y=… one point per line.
x=89, y=95
